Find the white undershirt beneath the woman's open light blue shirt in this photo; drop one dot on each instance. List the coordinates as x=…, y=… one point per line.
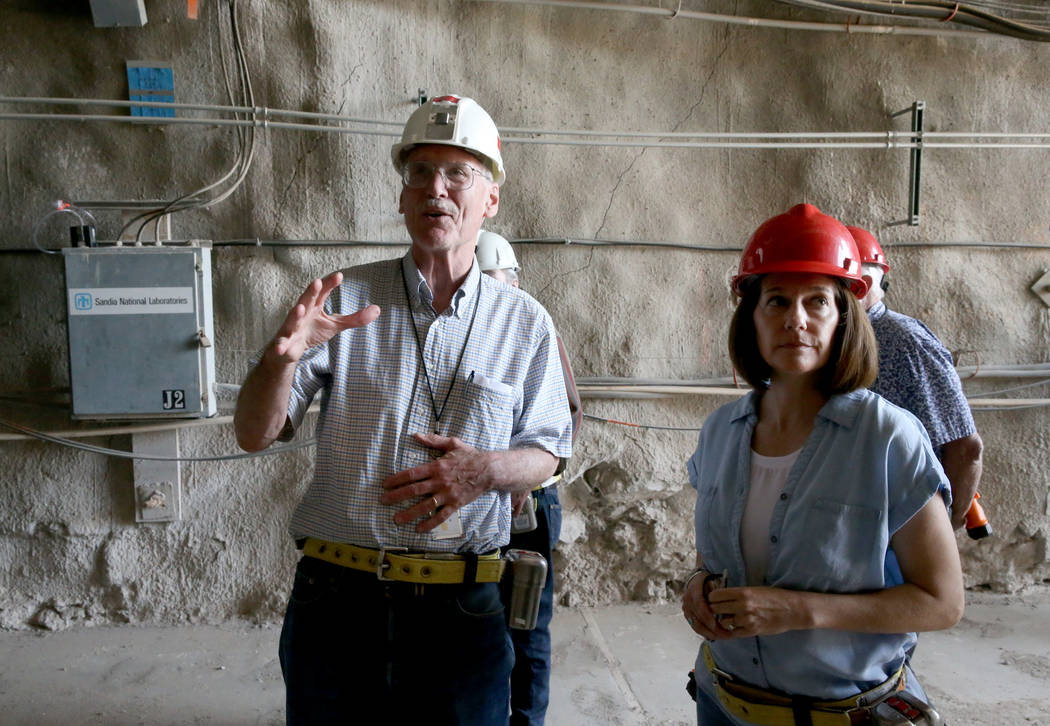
x=769, y=474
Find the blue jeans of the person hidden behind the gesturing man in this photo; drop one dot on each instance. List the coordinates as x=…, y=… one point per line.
x=531, y=679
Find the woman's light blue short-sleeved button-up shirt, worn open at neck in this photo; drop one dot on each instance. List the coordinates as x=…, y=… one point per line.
x=867, y=469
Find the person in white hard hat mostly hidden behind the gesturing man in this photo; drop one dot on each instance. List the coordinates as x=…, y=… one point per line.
x=531, y=680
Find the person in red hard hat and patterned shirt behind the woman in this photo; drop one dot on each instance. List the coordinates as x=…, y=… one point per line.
x=916, y=372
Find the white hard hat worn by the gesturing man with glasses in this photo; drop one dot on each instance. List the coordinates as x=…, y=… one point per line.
x=453, y=121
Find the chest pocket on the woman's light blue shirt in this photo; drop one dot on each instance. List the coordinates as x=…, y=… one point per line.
x=837, y=548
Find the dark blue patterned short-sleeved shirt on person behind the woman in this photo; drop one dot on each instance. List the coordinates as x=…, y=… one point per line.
x=916, y=372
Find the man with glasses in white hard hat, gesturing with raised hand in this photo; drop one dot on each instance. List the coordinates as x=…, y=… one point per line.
x=443, y=398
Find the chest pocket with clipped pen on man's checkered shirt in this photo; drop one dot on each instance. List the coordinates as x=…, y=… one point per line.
x=482, y=416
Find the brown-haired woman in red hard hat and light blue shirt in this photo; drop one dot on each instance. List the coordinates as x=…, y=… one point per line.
x=823, y=536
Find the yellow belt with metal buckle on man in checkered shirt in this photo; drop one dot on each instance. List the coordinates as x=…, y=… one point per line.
x=396, y=564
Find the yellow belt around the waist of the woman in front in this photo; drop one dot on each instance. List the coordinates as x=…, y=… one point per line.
x=773, y=709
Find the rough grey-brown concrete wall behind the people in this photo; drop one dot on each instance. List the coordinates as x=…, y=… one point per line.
x=70, y=549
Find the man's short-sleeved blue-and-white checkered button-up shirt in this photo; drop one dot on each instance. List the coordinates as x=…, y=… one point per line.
x=509, y=393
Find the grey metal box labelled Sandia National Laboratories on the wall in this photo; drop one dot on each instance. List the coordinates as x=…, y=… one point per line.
x=141, y=331
